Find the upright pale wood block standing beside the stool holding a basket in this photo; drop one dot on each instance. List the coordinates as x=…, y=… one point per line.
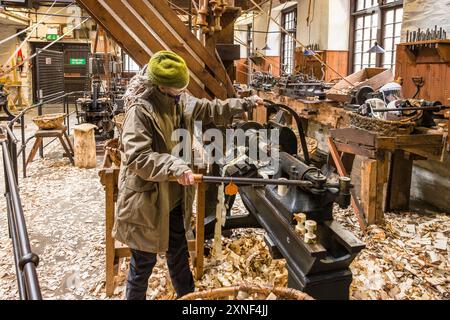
x=85, y=146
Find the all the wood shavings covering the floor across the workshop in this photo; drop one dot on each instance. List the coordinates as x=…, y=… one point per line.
x=407, y=258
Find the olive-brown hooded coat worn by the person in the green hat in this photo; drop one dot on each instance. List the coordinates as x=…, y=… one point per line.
x=142, y=217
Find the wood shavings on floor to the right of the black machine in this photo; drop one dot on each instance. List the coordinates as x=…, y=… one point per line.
x=406, y=258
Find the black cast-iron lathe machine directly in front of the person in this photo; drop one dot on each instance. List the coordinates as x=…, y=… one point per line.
x=298, y=219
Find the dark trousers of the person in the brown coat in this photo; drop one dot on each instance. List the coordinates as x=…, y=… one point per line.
x=142, y=263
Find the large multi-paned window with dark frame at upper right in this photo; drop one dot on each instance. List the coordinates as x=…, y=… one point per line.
x=376, y=23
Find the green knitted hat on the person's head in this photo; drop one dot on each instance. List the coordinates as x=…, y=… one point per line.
x=168, y=69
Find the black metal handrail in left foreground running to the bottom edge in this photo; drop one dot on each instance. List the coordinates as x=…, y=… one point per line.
x=26, y=261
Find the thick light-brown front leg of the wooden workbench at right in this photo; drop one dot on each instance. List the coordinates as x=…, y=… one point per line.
x=374, y=178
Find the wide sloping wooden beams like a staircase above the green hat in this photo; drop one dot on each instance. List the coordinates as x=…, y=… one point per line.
x=144, y=27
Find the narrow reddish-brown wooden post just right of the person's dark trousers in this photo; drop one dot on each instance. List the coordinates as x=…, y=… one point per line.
x=200, y=231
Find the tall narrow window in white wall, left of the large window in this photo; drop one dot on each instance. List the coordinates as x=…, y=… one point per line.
x=289, y=22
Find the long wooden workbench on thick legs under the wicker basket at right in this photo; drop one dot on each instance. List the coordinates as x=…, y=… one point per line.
x=387, y=160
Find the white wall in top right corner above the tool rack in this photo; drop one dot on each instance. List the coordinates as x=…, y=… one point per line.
x=426, y=14
